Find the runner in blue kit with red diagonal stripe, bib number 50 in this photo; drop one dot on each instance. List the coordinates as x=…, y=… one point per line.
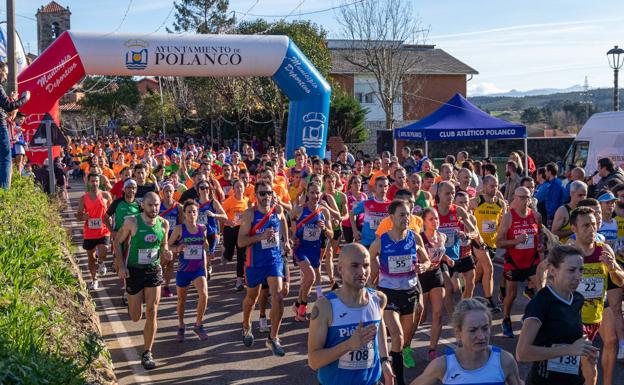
x=313, y=220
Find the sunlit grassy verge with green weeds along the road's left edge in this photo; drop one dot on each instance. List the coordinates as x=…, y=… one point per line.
x=45, y=336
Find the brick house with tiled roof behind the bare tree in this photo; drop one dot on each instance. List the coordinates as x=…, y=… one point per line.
x=434, y=78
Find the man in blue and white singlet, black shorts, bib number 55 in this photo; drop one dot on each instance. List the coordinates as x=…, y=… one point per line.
x=397, y=258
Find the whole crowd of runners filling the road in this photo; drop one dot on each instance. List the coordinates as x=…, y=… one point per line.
x=399, y=240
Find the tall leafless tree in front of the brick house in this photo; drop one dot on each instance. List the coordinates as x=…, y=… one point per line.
x=383, y=35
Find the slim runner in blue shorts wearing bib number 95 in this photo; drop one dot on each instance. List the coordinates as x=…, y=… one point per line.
x=191, y=241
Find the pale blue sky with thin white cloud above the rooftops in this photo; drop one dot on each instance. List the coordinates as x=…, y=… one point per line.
x=513, y=44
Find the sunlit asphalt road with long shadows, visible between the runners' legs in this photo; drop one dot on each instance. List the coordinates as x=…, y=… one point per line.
x=223, y=359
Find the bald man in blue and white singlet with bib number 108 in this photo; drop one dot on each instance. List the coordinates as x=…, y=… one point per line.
x=347, y=337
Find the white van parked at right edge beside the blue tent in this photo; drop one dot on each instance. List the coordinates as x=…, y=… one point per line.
x=602, y=136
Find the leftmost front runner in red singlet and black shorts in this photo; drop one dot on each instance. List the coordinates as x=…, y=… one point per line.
x=92, y=210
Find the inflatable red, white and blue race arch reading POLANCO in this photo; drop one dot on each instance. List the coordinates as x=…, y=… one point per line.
x=76, y=54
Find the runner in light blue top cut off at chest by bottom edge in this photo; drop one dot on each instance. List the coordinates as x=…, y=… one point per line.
x=476, y=361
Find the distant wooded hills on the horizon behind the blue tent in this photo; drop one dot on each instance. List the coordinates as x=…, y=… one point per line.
x=601, y=99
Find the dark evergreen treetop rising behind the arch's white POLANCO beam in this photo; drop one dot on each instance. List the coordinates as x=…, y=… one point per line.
x=202, y=16
